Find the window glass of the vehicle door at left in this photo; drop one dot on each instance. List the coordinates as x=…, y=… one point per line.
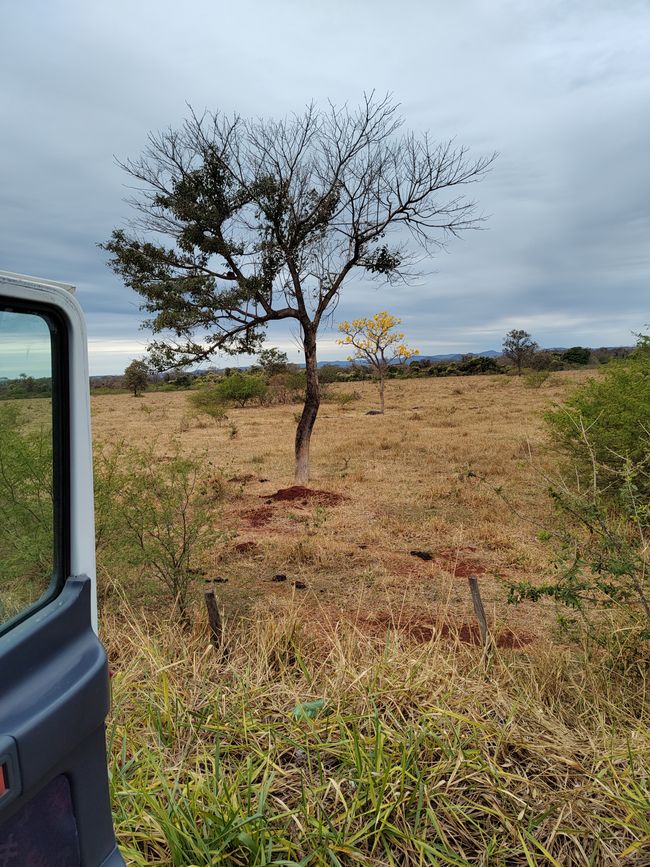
x=27, y=496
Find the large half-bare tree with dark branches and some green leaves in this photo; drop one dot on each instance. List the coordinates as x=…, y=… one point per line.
x=266, y=219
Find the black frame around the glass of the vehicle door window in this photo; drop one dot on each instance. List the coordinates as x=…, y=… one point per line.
x=57, y=325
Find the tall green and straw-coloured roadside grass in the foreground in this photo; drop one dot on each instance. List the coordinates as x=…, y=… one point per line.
x=429, y=754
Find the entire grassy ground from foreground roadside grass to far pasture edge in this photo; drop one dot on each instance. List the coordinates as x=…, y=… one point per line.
x=351, y=715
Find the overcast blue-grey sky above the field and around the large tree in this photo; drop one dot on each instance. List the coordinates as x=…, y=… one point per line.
x=560, y=89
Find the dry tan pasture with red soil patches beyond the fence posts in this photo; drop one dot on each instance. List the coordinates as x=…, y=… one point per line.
x=422, y=477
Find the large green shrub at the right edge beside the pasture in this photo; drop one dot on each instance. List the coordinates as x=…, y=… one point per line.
x=603, y=500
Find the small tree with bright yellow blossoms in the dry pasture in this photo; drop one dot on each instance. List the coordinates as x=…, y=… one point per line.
x=375, y=341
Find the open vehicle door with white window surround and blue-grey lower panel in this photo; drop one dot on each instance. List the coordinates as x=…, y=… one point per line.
x=54, y=687
